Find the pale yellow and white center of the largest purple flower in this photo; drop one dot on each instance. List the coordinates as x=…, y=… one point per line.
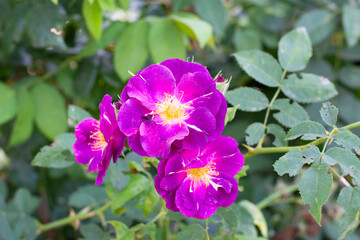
x=171, y=110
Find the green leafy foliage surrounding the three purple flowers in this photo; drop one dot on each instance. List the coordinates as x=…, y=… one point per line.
x=286, y=59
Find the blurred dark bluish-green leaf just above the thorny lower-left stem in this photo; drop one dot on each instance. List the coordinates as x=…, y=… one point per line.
x=88, y=195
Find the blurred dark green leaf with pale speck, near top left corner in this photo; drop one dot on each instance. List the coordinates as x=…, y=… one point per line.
x=41, y=19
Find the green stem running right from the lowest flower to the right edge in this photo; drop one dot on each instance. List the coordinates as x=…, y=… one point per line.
x=316, y=142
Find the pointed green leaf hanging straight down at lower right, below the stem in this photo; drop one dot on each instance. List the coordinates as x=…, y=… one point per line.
x=315, y=189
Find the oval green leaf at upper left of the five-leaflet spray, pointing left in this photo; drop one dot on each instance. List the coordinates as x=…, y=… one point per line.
x=260, y=66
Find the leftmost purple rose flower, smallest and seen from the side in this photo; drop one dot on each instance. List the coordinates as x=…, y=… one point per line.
x=98, y=141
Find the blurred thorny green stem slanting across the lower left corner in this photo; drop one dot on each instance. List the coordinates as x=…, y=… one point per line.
x=68, y=220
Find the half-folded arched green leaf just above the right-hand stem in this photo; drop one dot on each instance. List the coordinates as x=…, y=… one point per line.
x=309, y=130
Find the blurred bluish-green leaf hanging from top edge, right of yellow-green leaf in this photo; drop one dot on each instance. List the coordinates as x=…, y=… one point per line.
x=214, y=12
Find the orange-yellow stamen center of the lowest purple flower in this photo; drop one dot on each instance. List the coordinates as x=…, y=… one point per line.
x=202, y=175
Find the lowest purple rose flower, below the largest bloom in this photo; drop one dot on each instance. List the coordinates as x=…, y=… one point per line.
x=196, y=182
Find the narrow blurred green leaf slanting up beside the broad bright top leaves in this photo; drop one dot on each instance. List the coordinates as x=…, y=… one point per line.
x=110, y=34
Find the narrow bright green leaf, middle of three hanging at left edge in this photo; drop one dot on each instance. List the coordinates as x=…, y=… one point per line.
x=23, y=126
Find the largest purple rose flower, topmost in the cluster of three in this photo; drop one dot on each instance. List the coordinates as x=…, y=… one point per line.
x=171, y=105
